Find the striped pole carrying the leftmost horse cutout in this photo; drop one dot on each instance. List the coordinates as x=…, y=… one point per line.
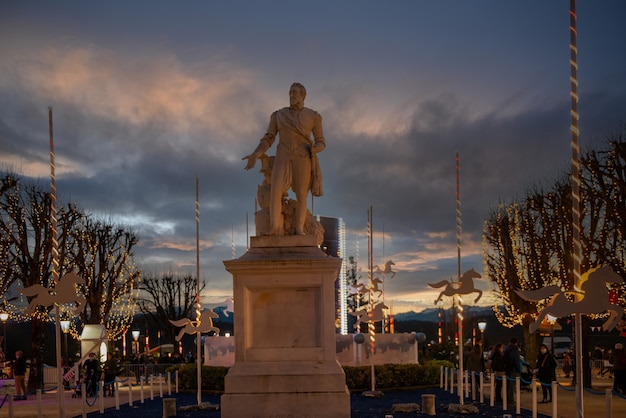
x=55, y=268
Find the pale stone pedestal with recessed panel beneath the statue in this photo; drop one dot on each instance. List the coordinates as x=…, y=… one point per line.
x=285, y=365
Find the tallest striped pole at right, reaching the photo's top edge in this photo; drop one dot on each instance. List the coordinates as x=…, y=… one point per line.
x=576, y=226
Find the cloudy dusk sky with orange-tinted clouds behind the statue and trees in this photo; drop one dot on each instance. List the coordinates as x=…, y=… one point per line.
x=149, y=95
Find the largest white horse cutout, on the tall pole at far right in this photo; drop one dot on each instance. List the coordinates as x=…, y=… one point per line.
x=595, y=298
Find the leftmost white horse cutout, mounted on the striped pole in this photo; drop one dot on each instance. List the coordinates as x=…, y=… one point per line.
x=63, y=292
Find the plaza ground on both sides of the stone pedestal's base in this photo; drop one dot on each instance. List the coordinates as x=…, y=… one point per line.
x=361, y=406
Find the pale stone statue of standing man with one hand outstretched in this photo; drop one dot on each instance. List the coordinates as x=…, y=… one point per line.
x=295, y=164
